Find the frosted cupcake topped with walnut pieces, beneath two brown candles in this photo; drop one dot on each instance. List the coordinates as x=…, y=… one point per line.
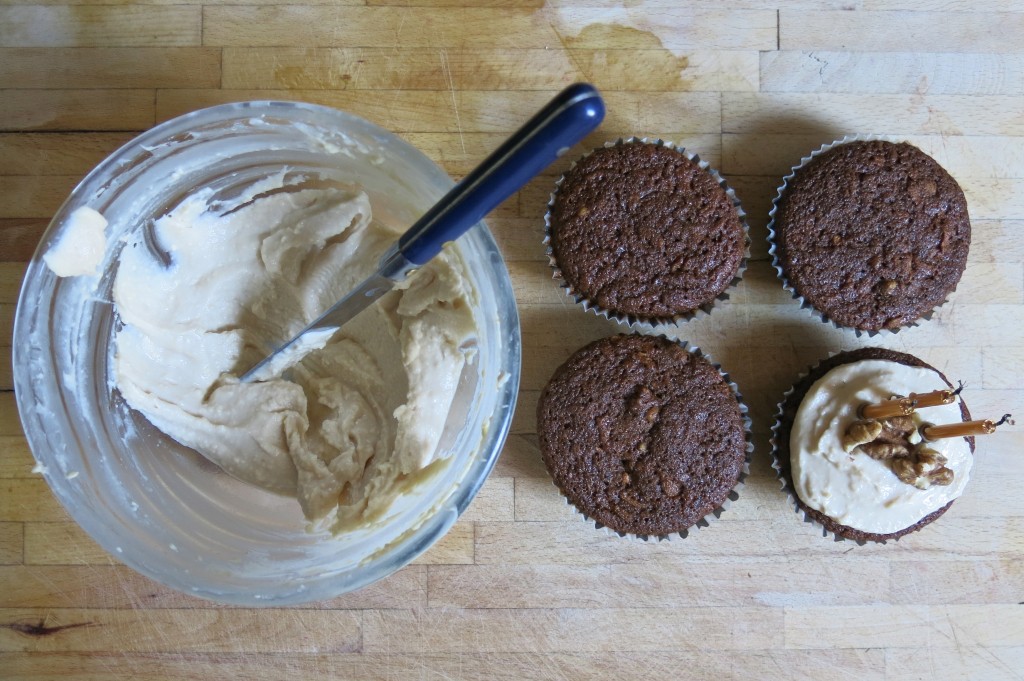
x=863, y=479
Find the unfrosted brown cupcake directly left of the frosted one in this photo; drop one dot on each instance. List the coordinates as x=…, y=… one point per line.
x=644, y=437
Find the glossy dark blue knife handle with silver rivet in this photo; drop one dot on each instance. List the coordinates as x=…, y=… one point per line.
x=565, y=121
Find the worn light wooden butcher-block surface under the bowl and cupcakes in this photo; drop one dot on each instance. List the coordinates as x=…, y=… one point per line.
x=523, y=588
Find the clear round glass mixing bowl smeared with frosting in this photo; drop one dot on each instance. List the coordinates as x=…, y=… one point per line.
x=158, y=506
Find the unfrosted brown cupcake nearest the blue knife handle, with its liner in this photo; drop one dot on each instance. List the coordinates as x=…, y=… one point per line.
x=644, y=232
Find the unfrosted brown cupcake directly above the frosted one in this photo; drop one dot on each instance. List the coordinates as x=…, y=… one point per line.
x=871, y=234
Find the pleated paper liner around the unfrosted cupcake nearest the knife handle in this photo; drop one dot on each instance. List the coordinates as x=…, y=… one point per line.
x=632, y=321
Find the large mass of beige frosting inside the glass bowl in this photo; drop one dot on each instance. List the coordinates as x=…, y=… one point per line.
x=358, y=420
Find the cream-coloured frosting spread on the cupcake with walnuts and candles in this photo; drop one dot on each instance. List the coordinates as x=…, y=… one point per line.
x=854, y=489
